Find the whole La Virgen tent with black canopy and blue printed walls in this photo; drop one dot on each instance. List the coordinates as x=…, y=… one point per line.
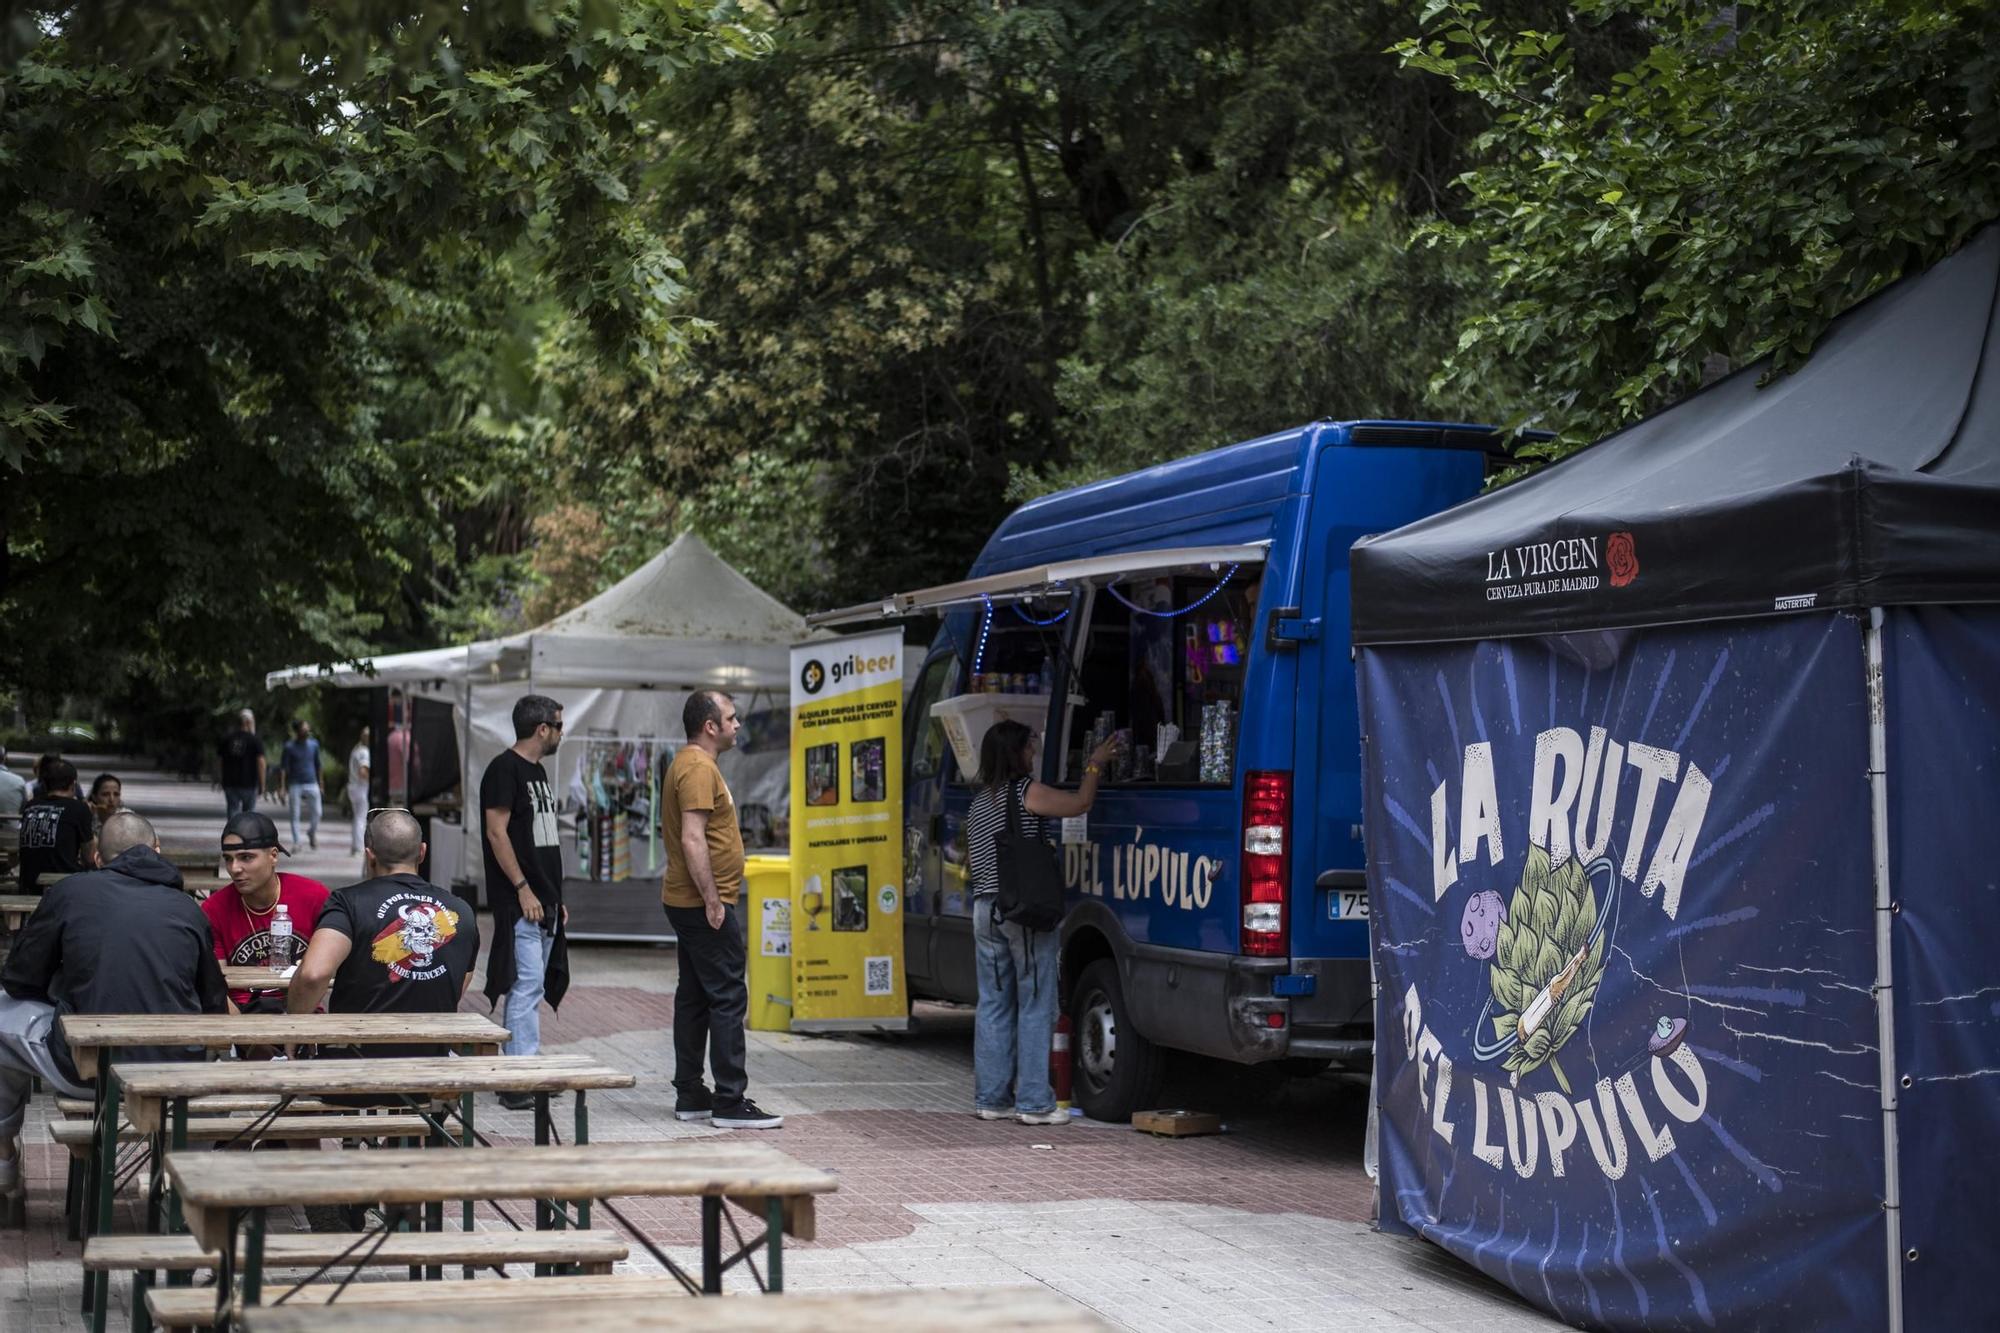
x=1679, y=760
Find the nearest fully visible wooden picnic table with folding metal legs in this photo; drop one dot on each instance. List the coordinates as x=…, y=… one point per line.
x=223, y=1192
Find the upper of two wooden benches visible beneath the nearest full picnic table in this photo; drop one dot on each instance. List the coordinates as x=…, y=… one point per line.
x=593, y=1252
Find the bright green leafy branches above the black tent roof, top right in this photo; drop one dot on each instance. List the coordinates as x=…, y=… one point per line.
x=1751, y=173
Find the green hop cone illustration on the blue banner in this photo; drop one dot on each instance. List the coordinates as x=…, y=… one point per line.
x=1547, y=948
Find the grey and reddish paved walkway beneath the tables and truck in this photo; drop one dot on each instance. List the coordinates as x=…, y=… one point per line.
x=1261, y=1228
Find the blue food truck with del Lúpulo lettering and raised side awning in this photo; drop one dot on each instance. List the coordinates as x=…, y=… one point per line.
x=1199, y=607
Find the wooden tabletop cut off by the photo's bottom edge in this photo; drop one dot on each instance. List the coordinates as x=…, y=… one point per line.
x=953, y=1310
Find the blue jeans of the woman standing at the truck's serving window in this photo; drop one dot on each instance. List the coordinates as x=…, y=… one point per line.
x=1017, y=1014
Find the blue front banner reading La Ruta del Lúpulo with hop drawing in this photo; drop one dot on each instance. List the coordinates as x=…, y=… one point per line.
x=1623, y=906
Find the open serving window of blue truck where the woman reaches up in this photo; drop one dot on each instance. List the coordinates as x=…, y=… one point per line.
x=1163, y=661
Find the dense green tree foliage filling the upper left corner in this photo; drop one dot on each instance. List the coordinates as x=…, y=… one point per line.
x=261, y=289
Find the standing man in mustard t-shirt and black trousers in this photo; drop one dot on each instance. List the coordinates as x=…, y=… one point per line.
x=705, y=880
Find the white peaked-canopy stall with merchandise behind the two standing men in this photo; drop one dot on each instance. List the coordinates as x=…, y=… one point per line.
x=621, y=665
